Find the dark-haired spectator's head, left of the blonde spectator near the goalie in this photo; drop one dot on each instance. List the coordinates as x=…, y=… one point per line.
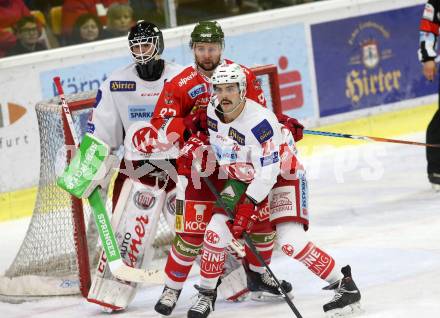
x=87, y=28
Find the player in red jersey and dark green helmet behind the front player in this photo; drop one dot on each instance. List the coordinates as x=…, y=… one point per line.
x=181, y=110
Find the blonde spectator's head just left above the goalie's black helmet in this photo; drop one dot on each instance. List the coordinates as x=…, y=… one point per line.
x=119, y=20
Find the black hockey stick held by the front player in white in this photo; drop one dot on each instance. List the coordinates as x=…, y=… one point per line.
x=248, y=240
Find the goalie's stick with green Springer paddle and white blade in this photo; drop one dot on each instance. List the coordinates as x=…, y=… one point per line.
x=108, y=240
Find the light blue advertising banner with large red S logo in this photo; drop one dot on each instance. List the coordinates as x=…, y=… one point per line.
x=285, y=47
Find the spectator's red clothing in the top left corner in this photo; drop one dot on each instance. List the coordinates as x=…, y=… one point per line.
x=10, y=12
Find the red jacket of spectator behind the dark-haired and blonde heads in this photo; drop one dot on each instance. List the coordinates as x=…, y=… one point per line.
x=72, y=9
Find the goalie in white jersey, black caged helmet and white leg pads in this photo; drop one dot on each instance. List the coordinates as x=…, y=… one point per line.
x=124, y=105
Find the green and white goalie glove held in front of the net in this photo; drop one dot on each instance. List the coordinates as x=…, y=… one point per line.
x=90, y=167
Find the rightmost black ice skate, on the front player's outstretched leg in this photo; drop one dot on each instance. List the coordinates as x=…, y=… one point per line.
x=347, y=296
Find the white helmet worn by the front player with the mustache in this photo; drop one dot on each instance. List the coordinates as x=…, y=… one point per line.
x=230, y=73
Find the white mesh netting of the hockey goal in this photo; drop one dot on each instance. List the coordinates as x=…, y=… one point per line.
x=48, y=249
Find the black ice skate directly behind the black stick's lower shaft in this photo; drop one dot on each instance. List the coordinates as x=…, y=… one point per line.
x=264, y=288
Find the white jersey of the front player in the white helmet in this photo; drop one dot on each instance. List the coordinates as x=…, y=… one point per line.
x=248, y=147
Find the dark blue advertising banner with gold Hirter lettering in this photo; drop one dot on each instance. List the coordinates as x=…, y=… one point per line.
x=368, y=61
